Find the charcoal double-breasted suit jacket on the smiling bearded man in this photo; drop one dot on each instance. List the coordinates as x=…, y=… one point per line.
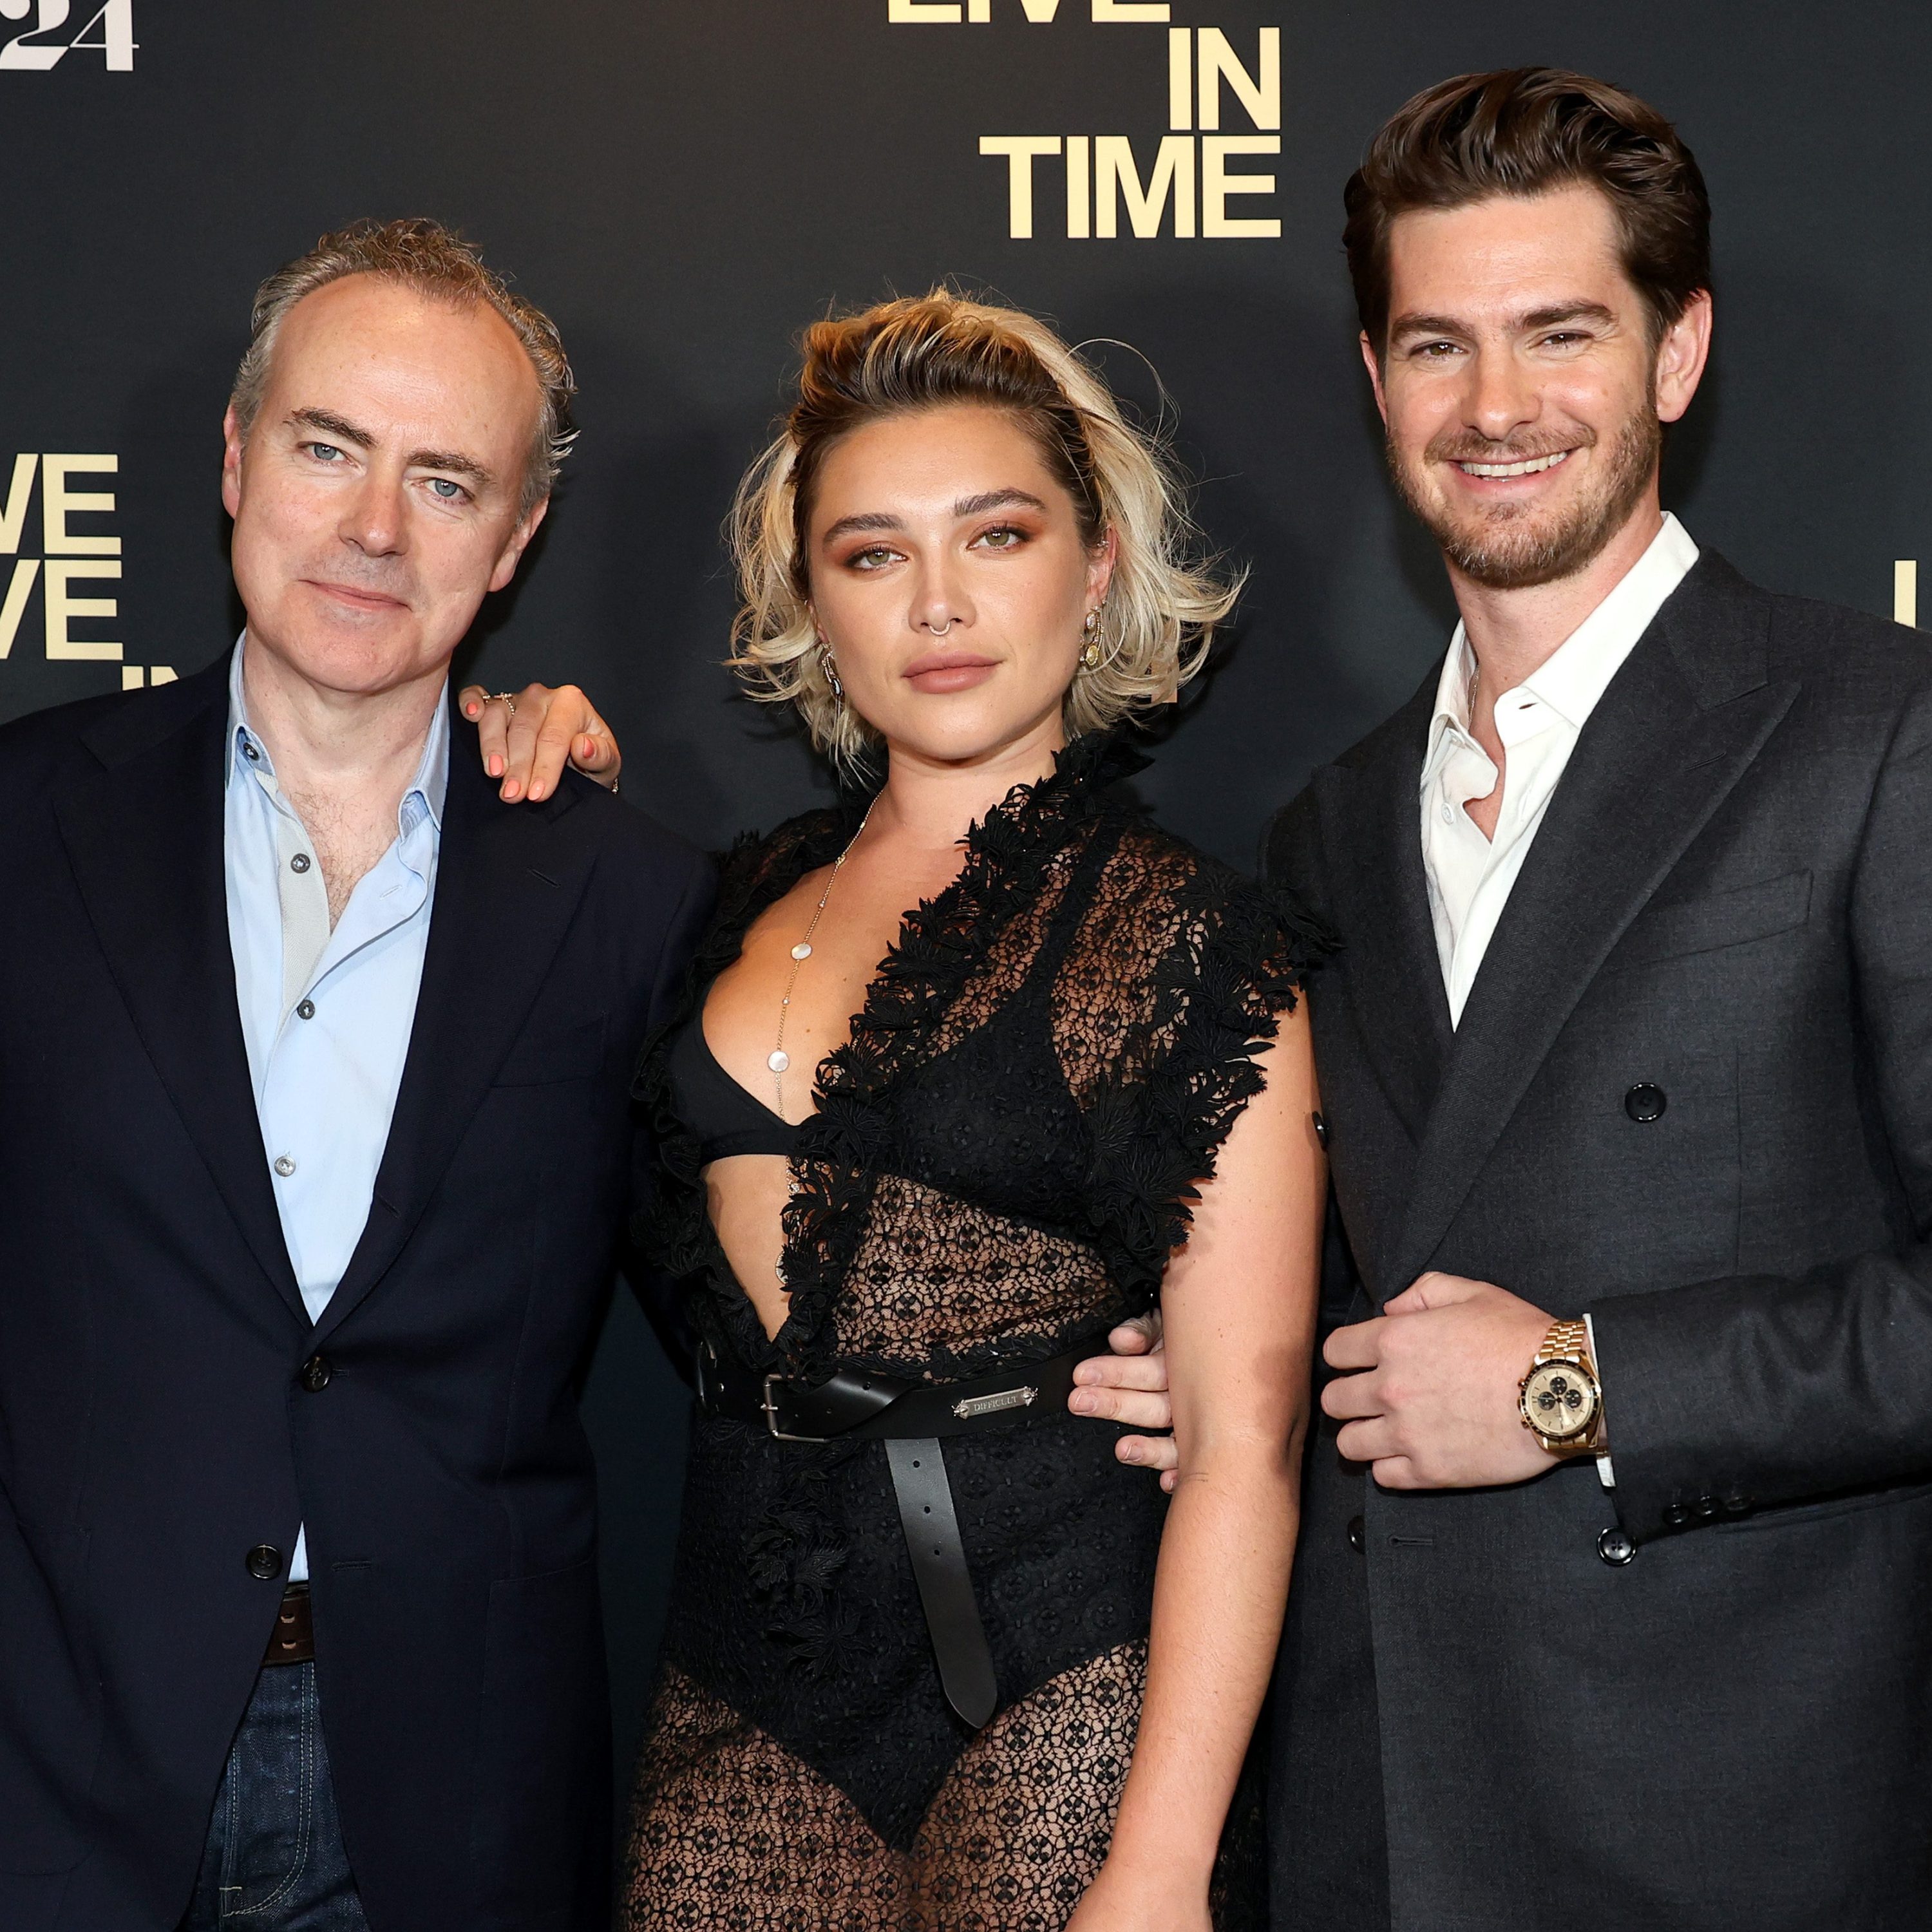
x=1701, y=1701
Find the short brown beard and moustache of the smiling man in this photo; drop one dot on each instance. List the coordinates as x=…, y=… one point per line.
x=1516, y=546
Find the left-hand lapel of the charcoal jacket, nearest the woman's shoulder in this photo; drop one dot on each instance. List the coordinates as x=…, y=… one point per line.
x=1373, y=834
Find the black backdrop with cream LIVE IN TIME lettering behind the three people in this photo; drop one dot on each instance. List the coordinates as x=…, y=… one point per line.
x=687, y=183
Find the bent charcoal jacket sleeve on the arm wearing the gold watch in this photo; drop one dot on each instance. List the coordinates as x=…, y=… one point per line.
x=1767, y=1390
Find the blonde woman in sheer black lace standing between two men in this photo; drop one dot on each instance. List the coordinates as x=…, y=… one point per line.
x=971, y=1069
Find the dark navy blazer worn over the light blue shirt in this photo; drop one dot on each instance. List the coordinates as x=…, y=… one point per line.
x=156, y=1425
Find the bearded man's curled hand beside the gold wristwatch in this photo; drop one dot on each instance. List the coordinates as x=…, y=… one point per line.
x=1435, y=1396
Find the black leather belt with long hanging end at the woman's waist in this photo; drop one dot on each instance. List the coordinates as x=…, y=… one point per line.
x=911, y=1417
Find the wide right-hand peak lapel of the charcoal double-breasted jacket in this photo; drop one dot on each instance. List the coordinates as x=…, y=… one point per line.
x=1674, y=733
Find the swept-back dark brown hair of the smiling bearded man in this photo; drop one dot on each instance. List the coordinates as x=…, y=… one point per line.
x=1525, y=132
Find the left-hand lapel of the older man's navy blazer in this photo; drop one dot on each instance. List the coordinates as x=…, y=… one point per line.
x=146, y=845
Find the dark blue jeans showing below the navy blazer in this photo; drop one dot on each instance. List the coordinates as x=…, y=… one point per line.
x=275, y=1860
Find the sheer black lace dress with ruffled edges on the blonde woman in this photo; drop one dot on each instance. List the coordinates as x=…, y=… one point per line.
x=1000, y=1166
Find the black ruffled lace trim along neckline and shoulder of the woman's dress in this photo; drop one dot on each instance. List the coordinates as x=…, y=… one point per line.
x=1156, y=1131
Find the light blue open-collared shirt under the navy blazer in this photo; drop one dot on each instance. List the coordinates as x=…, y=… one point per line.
x=326, y=1015
